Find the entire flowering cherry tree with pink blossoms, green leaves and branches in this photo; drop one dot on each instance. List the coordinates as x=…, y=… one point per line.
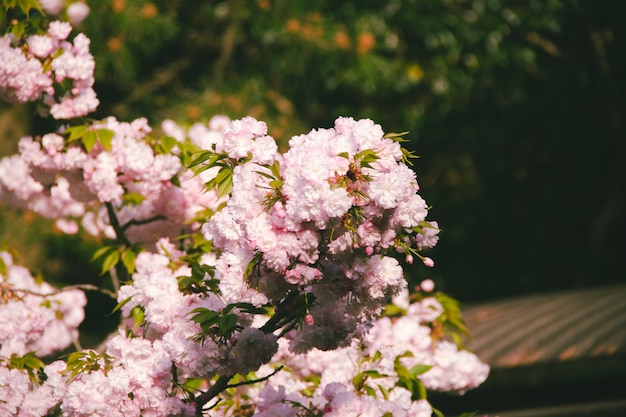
x=250, y=282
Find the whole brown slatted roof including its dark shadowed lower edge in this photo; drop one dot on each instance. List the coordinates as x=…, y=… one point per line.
x=551, y=355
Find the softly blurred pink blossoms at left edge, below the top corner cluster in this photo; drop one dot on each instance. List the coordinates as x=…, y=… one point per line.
x=67, y=183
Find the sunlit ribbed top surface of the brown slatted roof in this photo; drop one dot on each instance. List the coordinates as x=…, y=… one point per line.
x=549, y=327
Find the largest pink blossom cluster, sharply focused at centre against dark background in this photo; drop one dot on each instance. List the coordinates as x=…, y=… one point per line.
x=323, y=224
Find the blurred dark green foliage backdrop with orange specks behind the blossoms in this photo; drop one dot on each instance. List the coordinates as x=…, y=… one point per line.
x=517, y=109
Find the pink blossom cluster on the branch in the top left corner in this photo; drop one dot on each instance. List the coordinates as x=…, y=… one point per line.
x=35, y=69
